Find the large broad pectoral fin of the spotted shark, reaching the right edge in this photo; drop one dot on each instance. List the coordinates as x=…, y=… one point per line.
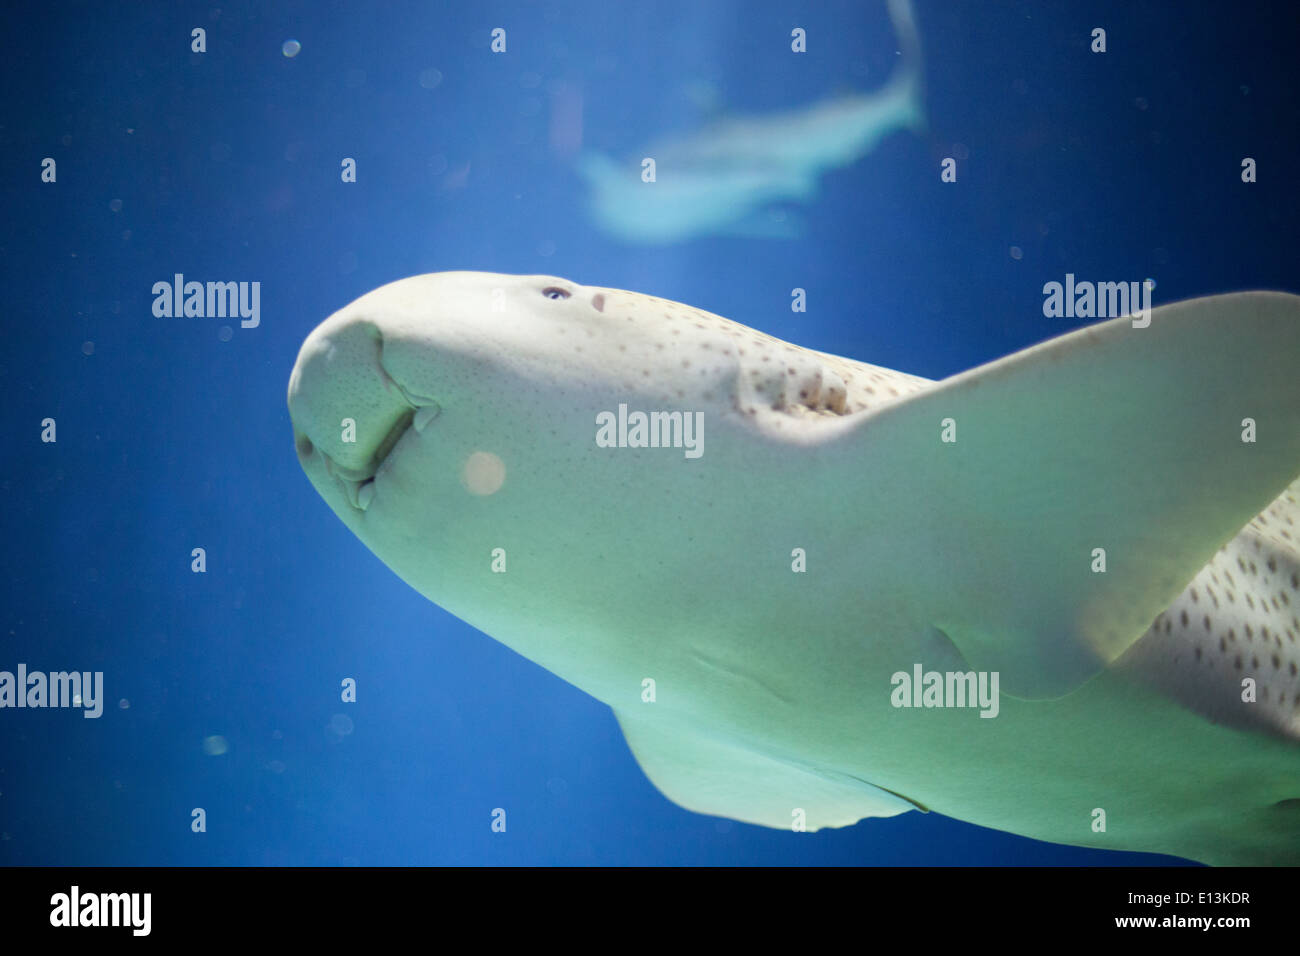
x=1061, y=498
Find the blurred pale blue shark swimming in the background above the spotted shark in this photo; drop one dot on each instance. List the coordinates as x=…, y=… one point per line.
x=721, y=180
